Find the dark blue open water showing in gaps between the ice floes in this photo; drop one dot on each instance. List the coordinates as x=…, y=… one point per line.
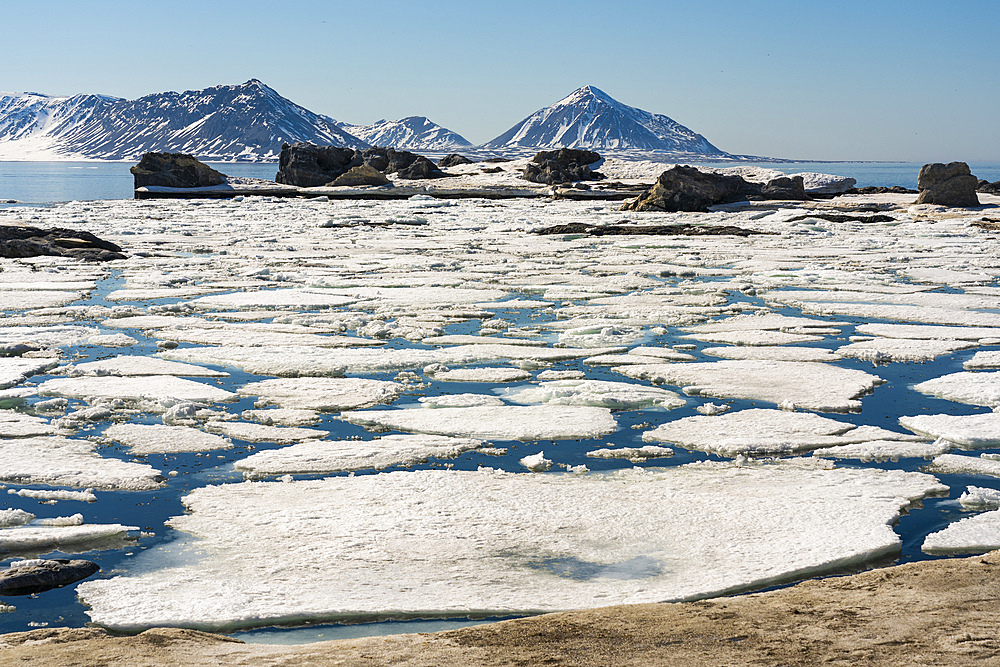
x=150, y=509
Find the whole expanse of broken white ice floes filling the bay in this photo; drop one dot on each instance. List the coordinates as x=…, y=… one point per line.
x=375, y=409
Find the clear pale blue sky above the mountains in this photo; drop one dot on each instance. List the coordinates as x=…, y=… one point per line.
x=877, y=80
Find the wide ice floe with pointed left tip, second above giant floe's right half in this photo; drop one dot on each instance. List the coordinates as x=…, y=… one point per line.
x=791, y=384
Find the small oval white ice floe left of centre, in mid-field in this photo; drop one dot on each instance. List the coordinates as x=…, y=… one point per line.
x=322, y=393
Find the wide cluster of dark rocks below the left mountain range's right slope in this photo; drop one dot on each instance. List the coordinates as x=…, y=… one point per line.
x=309, y=166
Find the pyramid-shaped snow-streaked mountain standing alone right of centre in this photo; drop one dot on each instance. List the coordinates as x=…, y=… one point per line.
x=591, y=119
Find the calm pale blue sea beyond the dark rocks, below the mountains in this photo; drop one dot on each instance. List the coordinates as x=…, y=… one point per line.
x=49, y=182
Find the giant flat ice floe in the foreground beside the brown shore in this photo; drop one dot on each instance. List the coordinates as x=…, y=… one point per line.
x=450, y=543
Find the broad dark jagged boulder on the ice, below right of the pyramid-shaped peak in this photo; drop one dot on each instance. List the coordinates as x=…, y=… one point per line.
x=684, y=188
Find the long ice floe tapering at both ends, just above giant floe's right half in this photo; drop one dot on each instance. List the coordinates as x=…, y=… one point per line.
x=760, y=432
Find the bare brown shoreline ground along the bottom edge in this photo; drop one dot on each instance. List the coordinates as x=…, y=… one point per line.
x=940, y=612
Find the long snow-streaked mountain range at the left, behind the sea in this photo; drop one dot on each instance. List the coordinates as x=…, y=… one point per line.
x=246, y=122
